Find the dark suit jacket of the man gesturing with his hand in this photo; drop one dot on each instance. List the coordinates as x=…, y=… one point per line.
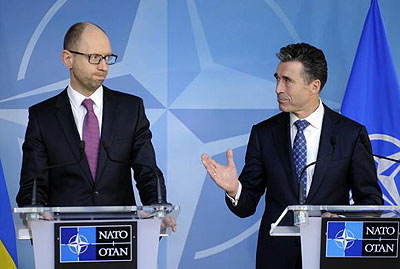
x=269, y=168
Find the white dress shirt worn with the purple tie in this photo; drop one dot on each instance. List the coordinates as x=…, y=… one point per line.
x=79, y=111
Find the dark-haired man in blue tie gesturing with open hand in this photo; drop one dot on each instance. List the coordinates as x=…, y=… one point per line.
x=279, y=149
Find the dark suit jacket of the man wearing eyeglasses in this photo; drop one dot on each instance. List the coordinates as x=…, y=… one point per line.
x=52, y=139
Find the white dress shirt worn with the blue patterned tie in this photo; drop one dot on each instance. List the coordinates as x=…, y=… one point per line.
x=312, y=134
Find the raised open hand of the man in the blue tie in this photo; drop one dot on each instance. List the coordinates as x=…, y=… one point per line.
x=225, y=177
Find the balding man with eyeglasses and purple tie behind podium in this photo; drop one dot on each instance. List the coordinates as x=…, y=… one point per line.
x=81, y=144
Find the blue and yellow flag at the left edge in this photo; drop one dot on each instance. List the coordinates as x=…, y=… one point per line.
x=8, y=248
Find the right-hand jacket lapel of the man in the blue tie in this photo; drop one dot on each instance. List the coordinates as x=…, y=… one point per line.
x=324, y=152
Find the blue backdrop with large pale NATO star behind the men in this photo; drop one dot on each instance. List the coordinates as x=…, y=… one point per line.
x=205, y=71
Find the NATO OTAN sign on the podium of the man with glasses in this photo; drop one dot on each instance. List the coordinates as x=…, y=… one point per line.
x=95, y=244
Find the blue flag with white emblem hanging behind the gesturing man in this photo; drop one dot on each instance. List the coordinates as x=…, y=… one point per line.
x=373, y=99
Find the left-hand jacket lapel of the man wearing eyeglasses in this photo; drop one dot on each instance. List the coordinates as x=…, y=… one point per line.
x=67, y=123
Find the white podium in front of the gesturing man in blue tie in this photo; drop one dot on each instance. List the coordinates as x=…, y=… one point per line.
x=371, y=248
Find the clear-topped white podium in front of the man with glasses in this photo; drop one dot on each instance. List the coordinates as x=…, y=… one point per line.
x=64, y=237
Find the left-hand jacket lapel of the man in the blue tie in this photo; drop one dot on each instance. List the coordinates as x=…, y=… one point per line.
x=281, y=134
